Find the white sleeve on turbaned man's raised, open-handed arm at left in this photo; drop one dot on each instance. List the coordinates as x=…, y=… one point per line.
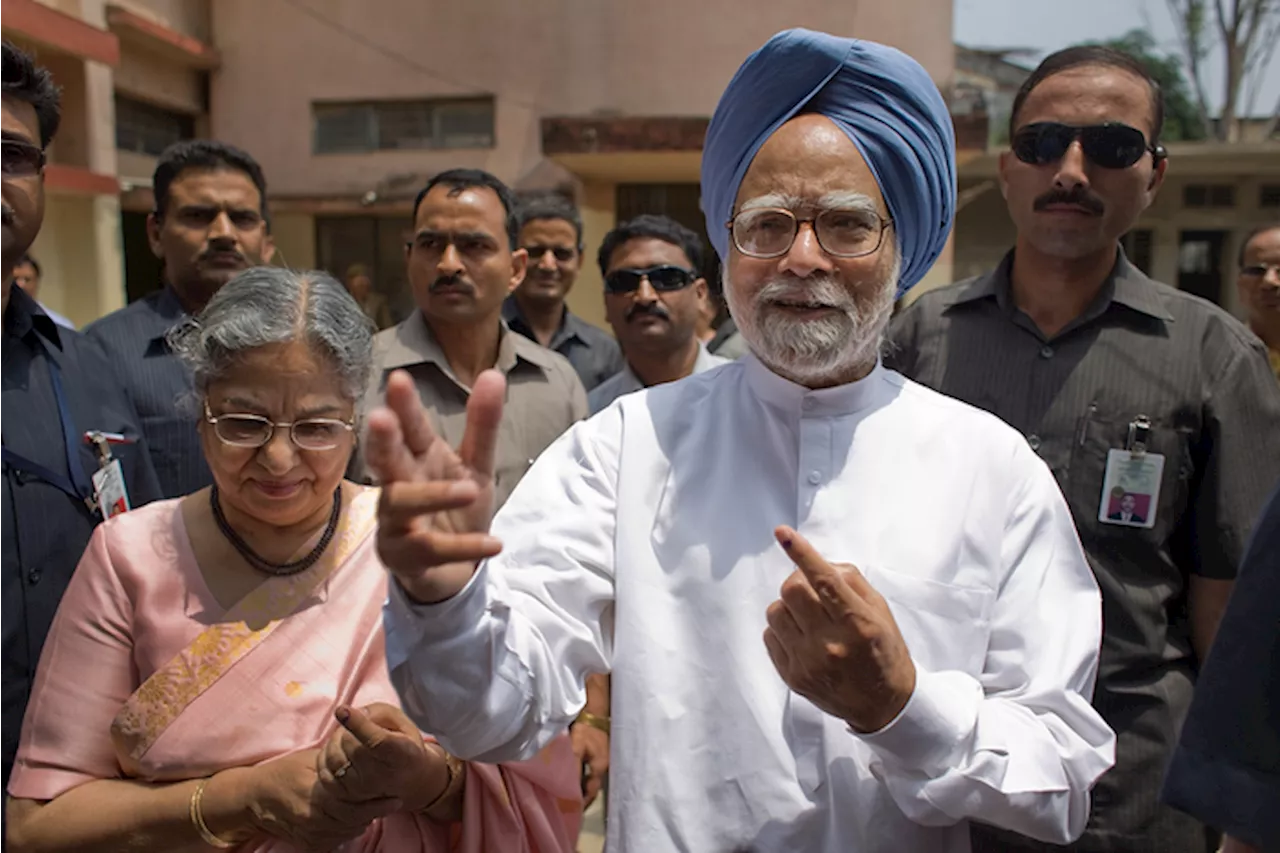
x=499, y=670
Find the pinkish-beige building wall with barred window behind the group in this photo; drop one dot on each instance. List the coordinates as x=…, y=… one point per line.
x=577, y=58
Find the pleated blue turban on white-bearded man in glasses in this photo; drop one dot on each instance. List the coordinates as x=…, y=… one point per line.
x=879, y=97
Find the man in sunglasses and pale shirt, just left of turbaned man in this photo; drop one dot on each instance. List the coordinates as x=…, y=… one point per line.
x=653, y=297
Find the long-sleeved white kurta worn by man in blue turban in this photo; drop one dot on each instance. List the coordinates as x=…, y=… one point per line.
x=642, y=544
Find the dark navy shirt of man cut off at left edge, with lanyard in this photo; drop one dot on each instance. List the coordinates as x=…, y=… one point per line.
x=43, y=530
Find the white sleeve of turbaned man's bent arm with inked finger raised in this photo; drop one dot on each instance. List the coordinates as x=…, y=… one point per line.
x=1018, y=747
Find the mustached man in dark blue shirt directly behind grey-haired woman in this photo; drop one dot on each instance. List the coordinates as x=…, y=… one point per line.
x=211, y=222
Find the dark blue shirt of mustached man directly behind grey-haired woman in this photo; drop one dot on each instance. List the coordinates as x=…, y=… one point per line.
x=159, y=386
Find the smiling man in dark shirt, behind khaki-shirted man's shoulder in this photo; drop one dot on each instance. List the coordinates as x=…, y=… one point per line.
x=551, y=231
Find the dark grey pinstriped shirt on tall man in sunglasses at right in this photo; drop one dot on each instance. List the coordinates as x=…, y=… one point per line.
x=1205, y=384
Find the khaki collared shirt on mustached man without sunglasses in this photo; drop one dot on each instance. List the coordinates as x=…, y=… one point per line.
x=545, y=396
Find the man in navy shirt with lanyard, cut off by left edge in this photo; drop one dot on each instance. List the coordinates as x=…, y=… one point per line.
x=56, y=389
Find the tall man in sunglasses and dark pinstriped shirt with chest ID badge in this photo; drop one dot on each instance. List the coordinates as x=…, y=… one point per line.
x=1119, y=384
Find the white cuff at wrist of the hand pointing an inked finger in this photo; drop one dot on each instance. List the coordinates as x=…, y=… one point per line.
x=934, y=731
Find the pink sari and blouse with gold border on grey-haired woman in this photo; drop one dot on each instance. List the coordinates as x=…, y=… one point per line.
x=147, y=677
